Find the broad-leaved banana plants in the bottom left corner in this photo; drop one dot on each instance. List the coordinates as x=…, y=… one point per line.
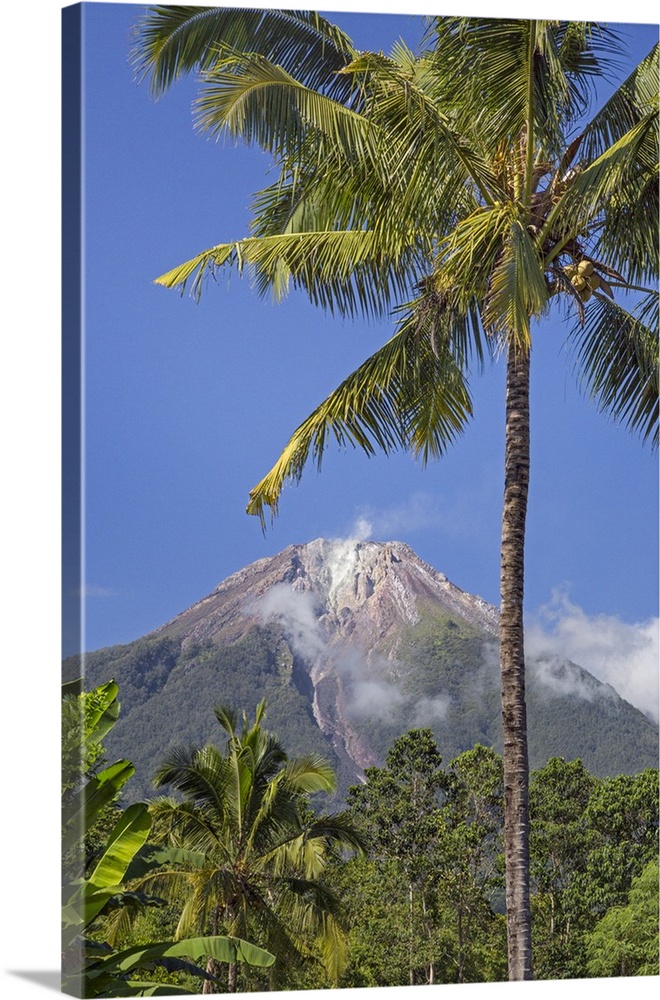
x=90, y=967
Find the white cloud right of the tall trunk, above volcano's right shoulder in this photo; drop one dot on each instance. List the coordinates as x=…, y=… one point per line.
x=622, y=654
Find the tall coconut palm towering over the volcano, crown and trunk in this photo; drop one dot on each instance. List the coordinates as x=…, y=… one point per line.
x=461, y=188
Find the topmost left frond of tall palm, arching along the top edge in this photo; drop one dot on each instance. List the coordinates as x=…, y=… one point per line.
x=171, y=41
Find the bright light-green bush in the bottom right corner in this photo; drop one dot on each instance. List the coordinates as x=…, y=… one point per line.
x=625, y=941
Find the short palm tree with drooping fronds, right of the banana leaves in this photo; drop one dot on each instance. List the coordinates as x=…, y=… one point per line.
x=250, y=853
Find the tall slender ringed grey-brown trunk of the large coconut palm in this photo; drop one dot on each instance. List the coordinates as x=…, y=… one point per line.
x=512, y=664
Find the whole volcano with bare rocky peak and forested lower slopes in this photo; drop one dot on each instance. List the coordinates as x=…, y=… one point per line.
x=352, y=643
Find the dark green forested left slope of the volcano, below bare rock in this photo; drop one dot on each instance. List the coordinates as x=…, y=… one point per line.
x=167, y=686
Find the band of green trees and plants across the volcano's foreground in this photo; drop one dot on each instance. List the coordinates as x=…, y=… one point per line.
x=235, y=881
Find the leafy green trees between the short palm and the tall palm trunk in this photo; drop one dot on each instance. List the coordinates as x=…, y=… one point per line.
x=434, y=837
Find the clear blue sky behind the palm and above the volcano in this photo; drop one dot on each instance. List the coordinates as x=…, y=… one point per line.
x=188, y=405
